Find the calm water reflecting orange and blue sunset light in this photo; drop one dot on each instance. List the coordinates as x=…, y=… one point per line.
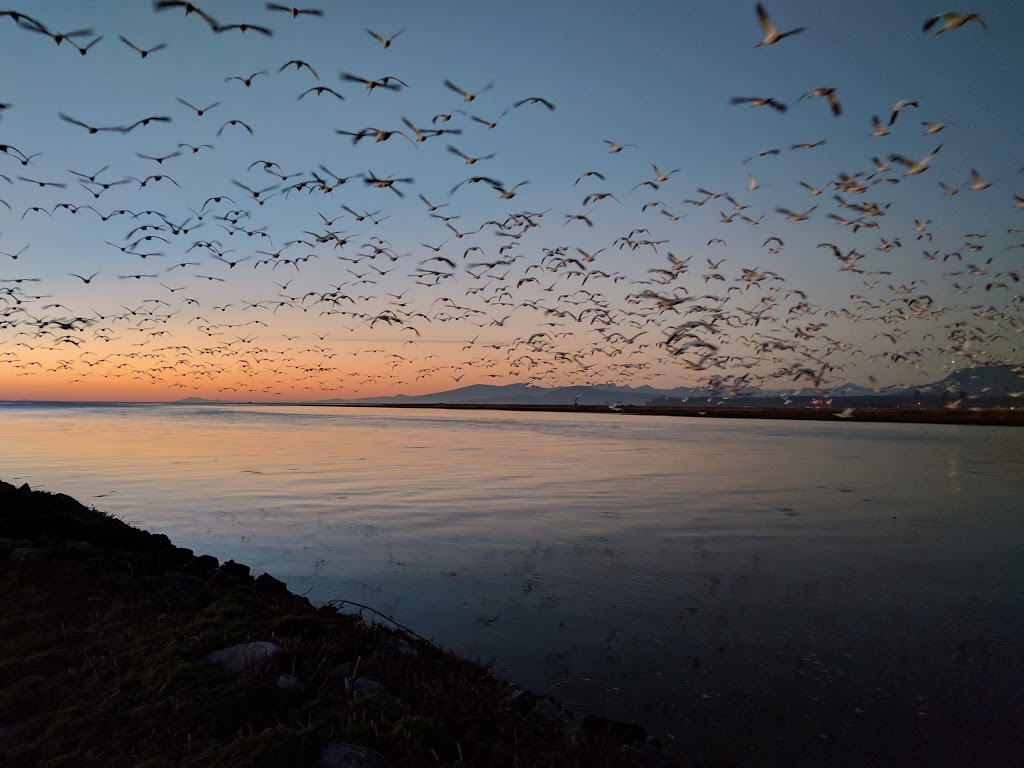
x=762, y=592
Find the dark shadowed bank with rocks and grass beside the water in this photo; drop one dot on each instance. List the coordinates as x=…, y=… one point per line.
x=118, y=649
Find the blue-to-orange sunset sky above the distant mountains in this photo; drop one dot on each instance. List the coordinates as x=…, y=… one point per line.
x=697, y=254
